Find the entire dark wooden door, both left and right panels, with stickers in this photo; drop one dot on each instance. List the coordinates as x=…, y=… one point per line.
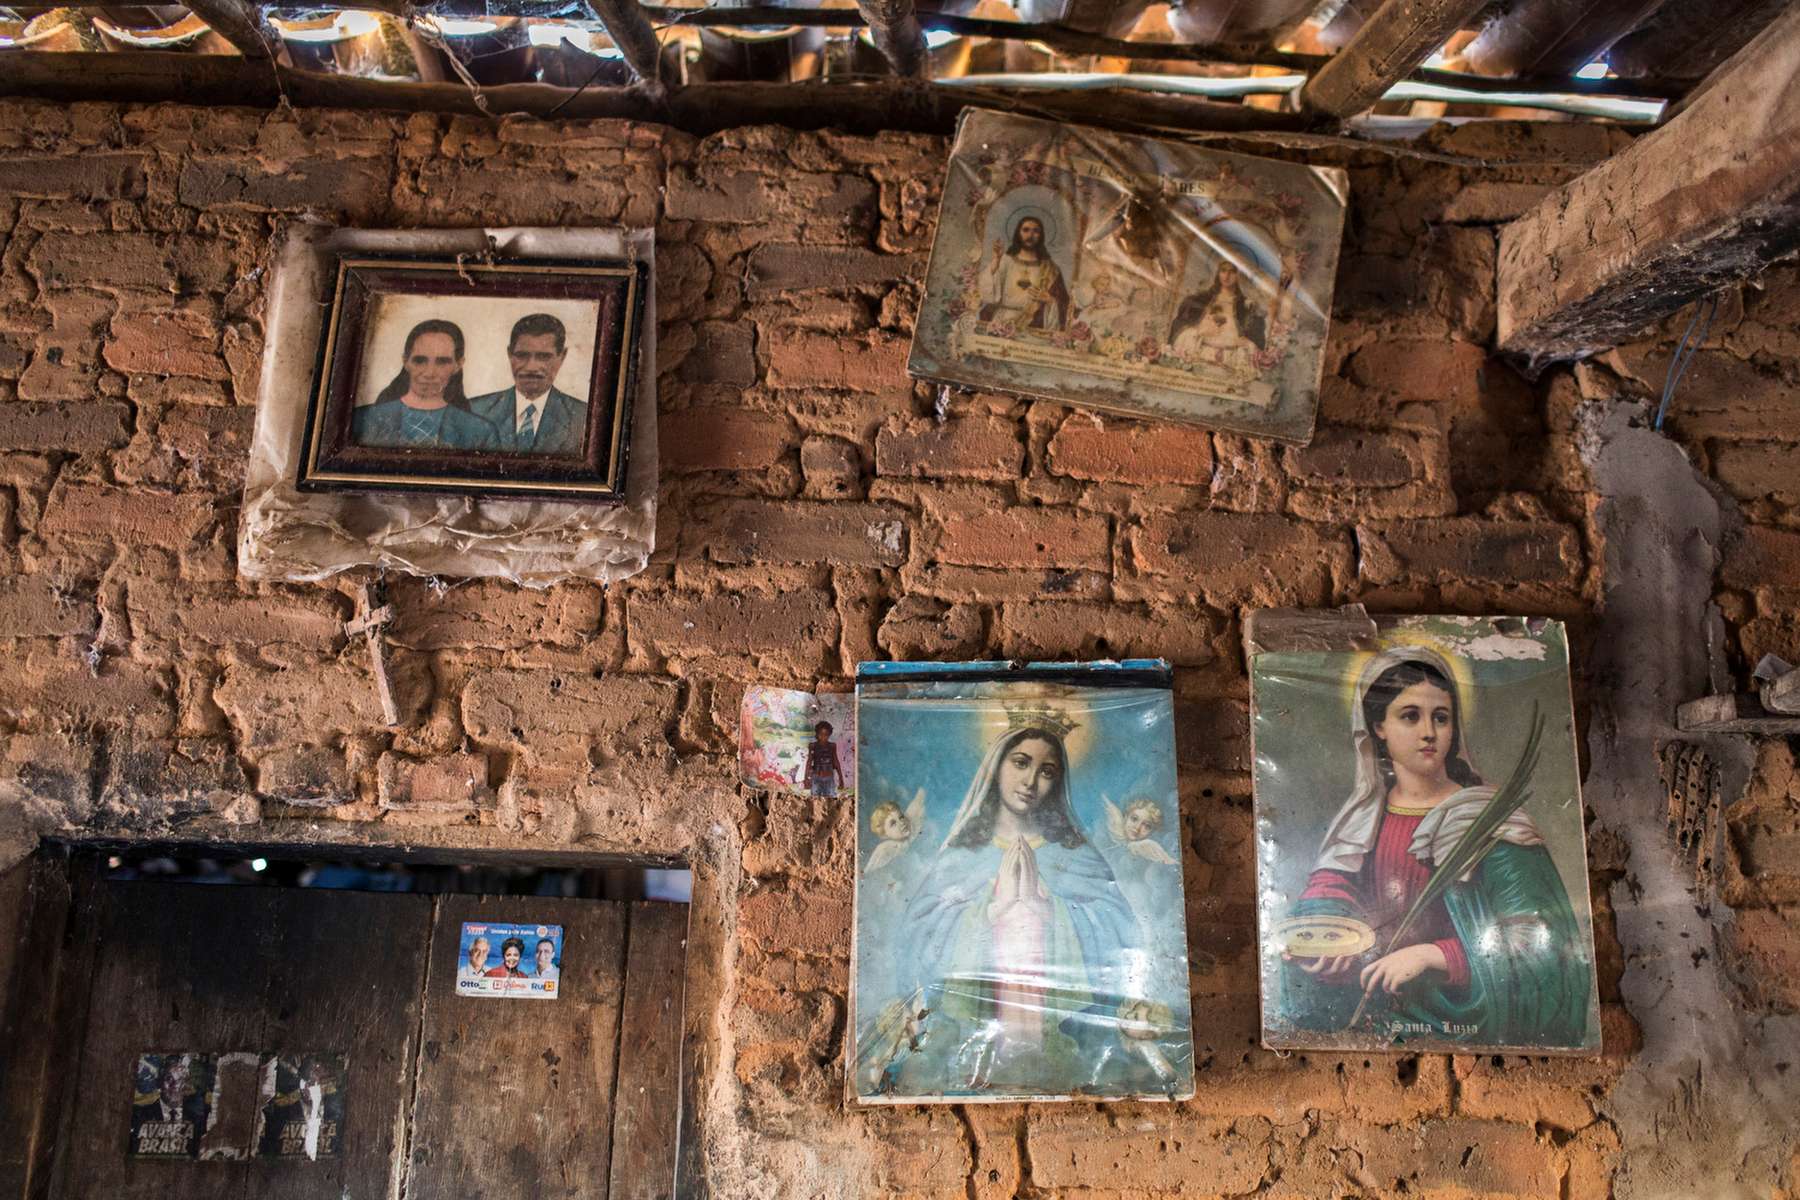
x=447, y=1097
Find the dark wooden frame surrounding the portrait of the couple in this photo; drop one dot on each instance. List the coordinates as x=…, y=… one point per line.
x=336, y=461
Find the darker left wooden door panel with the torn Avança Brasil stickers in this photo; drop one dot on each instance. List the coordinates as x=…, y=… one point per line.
x=193, y=969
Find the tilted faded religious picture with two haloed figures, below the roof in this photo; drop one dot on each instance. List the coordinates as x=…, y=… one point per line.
x=1133, y=274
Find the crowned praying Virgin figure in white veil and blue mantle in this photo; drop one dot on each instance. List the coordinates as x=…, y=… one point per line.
x=1020, y=926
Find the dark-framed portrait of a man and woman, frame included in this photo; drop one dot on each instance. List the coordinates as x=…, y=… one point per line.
x=483, y=377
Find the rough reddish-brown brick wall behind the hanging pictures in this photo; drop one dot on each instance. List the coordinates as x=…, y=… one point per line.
x=816, y=514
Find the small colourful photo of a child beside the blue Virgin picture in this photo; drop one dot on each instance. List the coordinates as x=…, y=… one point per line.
x=798, y=742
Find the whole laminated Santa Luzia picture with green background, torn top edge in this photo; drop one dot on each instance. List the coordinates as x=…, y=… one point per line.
x=1421, y=855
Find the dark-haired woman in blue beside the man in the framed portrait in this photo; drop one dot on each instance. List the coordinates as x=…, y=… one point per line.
x=424, y=406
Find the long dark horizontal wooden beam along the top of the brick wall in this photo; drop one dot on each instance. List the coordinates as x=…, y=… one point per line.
x=904, y=105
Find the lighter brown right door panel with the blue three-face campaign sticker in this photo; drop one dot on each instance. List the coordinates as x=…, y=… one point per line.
x=591, y=1082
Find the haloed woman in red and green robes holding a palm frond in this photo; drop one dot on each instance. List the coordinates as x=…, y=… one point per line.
x=1498, y=958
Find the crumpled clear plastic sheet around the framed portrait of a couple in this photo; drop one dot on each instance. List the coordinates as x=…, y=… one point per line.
x=292, y=535
